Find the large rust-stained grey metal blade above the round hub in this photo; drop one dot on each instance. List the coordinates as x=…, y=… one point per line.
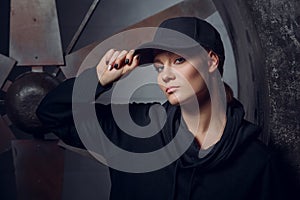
x=34, y=33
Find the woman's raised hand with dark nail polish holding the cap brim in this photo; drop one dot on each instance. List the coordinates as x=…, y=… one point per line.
x=114, y=64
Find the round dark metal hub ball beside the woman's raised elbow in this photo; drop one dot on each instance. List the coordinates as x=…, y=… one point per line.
x=23, y=98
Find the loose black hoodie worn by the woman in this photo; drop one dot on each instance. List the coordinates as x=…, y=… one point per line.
x=237, y=167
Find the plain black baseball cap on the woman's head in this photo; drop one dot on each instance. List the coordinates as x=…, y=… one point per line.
x=181, y=33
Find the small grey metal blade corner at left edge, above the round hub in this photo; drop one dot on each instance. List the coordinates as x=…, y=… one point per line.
x=6, y=65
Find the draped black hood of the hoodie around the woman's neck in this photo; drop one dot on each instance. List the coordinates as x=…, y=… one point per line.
x=237, y=133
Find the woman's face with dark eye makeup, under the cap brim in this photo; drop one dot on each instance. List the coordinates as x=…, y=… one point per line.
x=178, y=78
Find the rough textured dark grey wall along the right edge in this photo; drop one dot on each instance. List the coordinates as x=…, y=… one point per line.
x=278, y=26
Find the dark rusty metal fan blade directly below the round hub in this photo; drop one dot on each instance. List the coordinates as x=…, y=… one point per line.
x=39, y=167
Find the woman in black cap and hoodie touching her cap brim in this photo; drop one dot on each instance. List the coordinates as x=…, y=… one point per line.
x=209, y=151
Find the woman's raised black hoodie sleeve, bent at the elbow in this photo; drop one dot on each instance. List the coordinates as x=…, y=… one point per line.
x=70, y=112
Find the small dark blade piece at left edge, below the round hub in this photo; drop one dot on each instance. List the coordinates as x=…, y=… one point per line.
x=6, y=136
